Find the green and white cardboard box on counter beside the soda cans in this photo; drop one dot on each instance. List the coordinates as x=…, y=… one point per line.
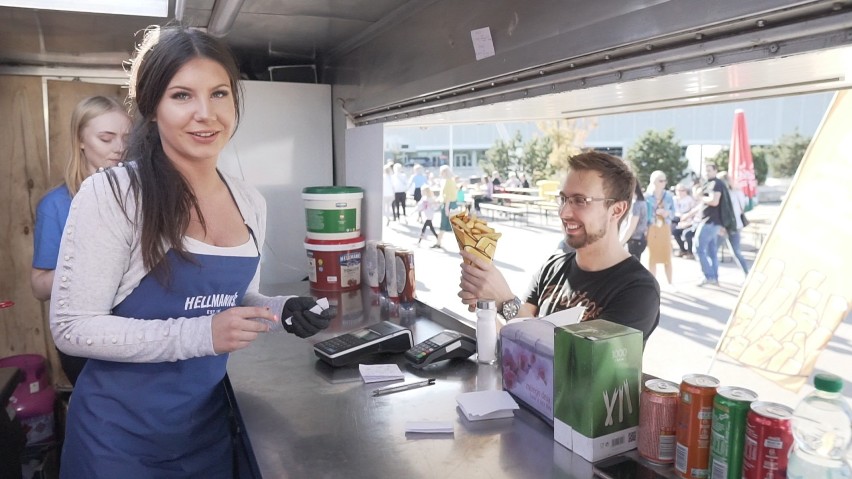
x=597, y=368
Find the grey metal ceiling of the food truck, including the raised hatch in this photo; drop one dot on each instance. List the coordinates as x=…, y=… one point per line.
x=780, y=50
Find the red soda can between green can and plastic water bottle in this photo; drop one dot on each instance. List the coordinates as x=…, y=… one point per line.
x=768, y=440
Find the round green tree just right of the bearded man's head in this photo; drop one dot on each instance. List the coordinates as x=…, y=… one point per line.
x=657, y=150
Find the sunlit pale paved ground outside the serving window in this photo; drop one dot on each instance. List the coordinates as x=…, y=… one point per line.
x=692, y=318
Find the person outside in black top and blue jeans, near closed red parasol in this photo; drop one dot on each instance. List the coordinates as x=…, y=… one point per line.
x=707, y=236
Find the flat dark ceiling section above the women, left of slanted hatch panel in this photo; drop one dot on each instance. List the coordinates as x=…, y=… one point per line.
x=266, y=33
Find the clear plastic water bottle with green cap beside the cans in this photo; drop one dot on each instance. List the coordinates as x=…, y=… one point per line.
x=822, y=429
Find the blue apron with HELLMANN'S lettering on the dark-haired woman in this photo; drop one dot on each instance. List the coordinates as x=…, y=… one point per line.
x=160, y=420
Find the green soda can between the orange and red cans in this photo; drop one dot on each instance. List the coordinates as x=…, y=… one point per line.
x=730, y=408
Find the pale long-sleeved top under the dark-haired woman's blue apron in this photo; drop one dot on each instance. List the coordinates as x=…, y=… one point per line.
x=100, y=264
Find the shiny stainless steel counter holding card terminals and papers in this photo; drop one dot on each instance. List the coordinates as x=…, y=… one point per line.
x=308, y=420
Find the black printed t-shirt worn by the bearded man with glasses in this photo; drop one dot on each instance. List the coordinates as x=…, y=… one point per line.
x=625, y=293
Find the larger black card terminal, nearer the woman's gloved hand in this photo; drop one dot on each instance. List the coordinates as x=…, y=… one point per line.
x=384, y=337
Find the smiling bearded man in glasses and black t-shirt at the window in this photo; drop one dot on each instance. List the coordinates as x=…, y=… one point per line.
x=599, y=274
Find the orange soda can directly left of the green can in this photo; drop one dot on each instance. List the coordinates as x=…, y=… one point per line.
x=694, y=417
